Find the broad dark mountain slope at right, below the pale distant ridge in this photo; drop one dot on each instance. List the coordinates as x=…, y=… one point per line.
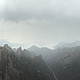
x=65, y=63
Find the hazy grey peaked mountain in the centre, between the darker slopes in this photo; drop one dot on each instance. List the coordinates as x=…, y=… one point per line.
x=44, y=52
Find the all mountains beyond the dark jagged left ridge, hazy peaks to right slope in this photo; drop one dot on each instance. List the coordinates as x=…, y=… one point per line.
x=64, y=60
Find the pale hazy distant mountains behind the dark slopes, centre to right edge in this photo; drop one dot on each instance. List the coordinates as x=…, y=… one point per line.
x=46, y=52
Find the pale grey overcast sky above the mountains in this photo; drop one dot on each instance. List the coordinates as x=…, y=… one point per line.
x=40, y=22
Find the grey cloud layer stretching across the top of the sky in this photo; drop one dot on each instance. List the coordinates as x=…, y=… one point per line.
x=17, y=10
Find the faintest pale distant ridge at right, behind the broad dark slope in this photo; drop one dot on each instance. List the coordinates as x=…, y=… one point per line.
x=65, y=44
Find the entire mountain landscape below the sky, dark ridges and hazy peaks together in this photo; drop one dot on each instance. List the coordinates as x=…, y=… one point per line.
x=34, y=63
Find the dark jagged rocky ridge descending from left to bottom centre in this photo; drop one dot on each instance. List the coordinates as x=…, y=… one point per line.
x=21, y=65
